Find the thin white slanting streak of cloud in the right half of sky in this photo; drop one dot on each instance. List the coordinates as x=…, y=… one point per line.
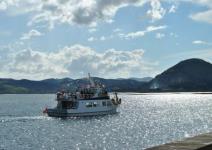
x=138, y=34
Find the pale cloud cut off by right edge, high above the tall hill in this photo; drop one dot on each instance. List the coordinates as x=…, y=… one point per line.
x=205, y=16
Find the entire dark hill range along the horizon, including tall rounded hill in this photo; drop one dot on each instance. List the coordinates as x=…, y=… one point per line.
x=192, y=75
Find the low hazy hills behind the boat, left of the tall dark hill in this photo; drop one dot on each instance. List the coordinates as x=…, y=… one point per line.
x=11, y=86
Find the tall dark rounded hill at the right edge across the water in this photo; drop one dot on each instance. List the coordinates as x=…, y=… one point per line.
x=188, y=75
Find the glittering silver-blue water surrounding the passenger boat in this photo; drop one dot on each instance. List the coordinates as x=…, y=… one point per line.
x=144, y=121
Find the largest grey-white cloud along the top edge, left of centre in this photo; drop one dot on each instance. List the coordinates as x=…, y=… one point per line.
x=83, y=12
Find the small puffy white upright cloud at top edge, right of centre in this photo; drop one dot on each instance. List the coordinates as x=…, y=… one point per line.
x=157, y=12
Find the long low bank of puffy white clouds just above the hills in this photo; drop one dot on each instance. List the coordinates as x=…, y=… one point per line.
x=75, y=61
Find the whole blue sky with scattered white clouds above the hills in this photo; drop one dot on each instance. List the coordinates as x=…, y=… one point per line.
x=42, y=39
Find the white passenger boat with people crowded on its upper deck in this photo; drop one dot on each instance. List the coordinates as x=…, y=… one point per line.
x=90, y=100
